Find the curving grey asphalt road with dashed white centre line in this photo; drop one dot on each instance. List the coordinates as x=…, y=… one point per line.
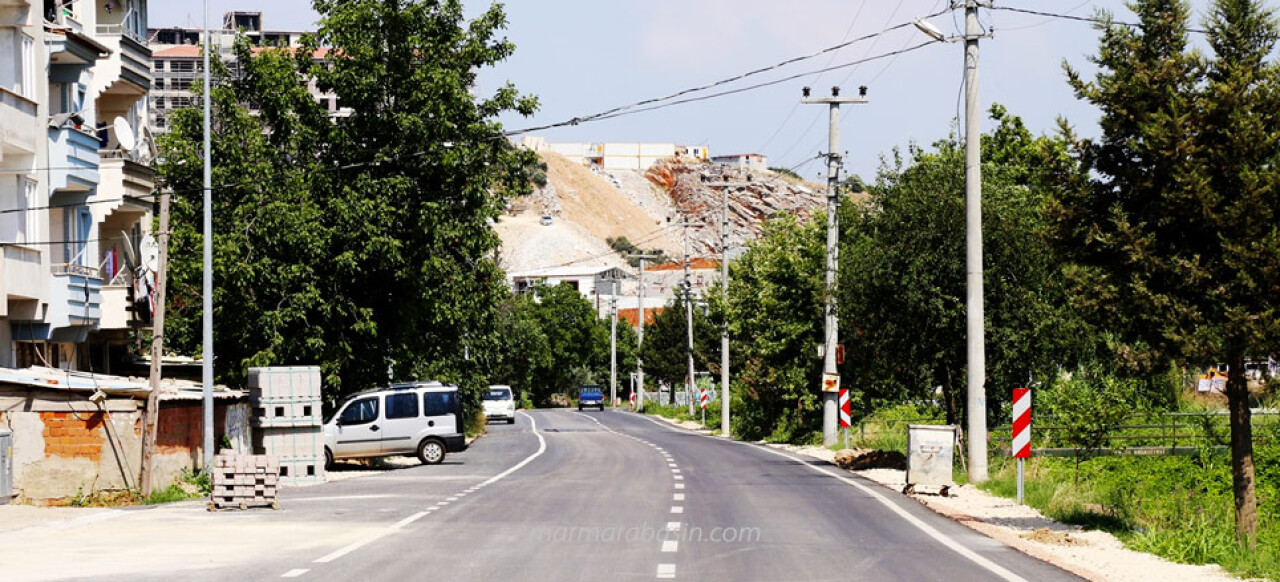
x=586, y=497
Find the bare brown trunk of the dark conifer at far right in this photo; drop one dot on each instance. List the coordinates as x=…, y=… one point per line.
x=1242, y=453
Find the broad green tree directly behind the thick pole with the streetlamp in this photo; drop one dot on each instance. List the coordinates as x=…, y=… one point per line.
x=903, y=286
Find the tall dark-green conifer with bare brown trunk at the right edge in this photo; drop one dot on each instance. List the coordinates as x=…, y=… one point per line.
x=1176, y=233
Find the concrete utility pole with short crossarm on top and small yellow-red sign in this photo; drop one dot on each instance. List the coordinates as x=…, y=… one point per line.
x=831, y=400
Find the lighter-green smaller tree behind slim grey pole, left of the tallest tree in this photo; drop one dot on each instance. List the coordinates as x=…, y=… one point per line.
x=269, y=224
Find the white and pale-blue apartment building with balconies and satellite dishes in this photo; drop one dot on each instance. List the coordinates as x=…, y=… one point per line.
x=75, y=181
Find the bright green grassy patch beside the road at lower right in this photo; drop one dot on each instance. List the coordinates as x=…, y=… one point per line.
x=1178, y=508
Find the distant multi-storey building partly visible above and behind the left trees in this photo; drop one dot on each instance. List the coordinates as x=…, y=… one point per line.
x=179, y=63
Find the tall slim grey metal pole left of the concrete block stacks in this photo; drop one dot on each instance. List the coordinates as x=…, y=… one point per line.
x=209, y=264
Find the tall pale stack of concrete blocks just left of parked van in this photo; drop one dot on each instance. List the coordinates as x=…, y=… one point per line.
x=287, y=421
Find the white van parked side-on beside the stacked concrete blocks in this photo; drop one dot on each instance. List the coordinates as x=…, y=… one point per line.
x=412, y=419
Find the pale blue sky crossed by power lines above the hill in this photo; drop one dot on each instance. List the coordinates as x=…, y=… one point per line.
x=583, y=57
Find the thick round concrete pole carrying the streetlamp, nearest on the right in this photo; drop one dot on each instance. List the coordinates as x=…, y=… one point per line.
x=975, y=310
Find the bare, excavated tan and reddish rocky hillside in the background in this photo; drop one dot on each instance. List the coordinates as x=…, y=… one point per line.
x=588, y=208
